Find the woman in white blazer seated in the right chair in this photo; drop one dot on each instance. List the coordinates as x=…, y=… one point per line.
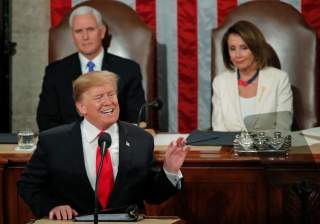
x=249, y=95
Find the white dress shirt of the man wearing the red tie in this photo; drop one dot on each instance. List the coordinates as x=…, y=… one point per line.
x=90, y=134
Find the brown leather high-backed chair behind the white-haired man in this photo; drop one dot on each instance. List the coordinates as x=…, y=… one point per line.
x=128, y=37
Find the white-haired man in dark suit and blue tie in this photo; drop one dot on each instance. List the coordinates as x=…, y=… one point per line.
x=56, y=105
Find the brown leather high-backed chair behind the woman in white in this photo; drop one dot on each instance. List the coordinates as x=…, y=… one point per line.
x=295, y=46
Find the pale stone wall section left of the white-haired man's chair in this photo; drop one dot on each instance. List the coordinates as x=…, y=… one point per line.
x=30, y=25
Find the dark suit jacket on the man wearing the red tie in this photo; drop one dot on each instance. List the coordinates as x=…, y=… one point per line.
x=56, y=173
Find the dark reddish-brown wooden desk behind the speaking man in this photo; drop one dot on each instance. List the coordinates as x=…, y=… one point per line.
x=219, y=187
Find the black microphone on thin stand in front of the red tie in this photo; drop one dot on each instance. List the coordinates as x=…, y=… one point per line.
x=104, y=142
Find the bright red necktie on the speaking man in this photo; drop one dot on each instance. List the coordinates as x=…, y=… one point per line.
x=105, y=184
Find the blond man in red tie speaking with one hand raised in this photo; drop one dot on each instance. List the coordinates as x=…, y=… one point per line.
x=59, y=180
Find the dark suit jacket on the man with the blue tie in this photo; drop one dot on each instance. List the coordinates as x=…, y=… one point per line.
x=56, y=103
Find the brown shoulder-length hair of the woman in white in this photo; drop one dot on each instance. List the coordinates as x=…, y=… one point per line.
x=253, y=38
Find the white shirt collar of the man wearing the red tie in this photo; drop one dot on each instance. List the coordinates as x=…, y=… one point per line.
x=91, y=132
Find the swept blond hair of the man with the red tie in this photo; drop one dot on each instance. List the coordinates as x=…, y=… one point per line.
x=92, y=79
